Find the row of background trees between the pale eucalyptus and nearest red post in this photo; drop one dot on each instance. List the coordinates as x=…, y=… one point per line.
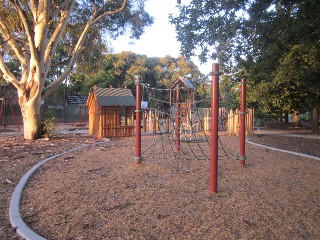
x=118, y=70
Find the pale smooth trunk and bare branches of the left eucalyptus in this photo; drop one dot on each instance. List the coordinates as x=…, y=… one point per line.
x=39, y=47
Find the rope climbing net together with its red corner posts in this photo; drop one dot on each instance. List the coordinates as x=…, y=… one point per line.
x=180, y=130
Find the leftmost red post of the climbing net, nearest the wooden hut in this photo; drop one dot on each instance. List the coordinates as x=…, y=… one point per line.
x=137, y=158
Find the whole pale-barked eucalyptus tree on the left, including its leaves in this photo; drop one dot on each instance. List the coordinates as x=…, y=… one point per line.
x=31, y=31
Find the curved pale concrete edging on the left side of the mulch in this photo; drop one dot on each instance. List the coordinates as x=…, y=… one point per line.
x=14, y=210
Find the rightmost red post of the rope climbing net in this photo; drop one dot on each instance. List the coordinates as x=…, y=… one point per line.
x=242, y=130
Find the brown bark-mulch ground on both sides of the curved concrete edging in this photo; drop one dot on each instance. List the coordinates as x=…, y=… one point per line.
x=97, y=193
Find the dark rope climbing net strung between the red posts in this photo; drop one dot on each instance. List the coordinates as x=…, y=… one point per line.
x=176, y=127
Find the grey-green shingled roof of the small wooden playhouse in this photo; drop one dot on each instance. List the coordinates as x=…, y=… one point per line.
x=112, y=97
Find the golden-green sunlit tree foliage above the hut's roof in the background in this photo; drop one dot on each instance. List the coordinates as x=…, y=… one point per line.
x=119, y=70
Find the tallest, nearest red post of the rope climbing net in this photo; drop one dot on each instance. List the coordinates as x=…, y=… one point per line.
x=214, y=128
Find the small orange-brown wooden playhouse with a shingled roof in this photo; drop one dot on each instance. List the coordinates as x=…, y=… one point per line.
x=111, y=112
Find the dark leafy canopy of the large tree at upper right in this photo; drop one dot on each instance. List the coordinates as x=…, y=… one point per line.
x=274, y=44
